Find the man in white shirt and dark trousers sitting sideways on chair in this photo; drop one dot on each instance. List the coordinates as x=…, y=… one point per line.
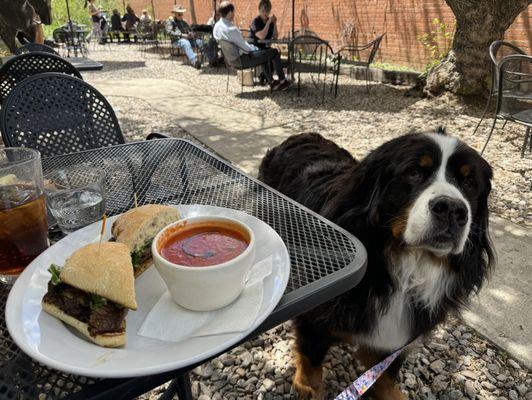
x=250, y=55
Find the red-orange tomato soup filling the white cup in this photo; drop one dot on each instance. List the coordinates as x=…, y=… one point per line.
x=204, y=245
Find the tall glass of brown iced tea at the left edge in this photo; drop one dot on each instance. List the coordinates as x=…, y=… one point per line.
x=23, y=225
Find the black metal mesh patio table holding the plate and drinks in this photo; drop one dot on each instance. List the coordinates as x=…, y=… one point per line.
x=325, y=259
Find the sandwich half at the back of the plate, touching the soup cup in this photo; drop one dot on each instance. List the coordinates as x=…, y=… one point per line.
x=138, y=227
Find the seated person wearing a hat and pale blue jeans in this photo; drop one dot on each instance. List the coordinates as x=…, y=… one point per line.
x=179, y=29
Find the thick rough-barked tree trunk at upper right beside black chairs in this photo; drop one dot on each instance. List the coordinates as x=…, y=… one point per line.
x=466, y=69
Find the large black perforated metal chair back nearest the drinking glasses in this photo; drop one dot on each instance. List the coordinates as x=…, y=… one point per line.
x=57, y=114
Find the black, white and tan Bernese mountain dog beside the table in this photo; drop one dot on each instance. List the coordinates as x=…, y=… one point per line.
x=418, y=203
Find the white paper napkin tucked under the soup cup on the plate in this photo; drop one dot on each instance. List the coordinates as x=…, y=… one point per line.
x=172, y=323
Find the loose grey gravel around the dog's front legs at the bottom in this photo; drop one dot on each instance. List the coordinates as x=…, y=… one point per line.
x=455, y=364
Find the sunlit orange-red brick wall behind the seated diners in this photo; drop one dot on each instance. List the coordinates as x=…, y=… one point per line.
x=402, y=20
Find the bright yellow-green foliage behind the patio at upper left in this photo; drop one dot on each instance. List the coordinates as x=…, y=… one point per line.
x=78, y=12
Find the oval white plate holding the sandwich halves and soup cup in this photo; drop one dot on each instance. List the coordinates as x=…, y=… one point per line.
x=48, y=340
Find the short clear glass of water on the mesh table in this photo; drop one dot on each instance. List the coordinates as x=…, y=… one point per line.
x=75, y=196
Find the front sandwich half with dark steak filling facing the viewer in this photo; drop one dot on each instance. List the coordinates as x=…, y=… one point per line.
x=93, y=292
